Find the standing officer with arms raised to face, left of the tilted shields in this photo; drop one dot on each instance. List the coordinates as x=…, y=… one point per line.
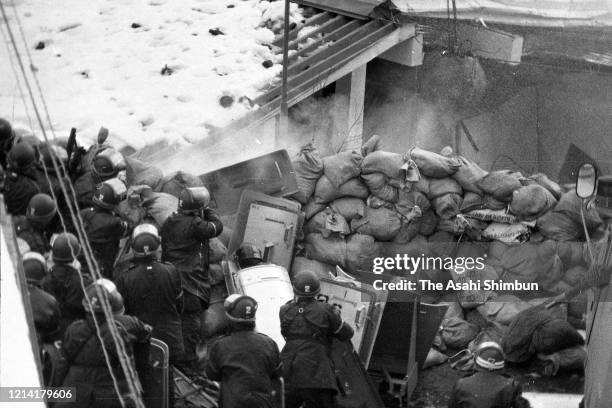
x=185, y=236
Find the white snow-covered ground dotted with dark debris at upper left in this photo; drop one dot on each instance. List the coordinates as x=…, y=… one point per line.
x=102, y=64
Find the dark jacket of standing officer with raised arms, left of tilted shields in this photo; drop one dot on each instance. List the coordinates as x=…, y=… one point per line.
x=185, y=245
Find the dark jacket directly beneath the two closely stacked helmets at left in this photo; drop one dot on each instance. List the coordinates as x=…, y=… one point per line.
x=104, y=230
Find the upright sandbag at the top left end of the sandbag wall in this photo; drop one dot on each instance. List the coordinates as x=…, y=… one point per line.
x=308, y=168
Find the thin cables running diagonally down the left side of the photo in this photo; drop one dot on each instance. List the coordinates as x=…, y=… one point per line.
x=123, y=358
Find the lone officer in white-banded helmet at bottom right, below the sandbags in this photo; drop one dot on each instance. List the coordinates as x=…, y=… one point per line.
x=488, y=386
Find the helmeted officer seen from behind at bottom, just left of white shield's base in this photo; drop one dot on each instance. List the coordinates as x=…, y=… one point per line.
x=246, y=362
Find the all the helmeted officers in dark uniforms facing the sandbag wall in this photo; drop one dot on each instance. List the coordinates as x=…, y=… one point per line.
x=162, y=292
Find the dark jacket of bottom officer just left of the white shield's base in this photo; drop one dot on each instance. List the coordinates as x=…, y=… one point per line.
x=245, y=362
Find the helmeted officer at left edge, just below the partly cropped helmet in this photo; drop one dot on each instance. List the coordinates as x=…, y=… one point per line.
x=20, y=183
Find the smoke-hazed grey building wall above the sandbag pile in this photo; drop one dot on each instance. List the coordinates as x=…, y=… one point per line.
x=522, y=117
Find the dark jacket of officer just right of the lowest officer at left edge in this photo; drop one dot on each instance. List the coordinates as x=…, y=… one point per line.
x=64, y=284
